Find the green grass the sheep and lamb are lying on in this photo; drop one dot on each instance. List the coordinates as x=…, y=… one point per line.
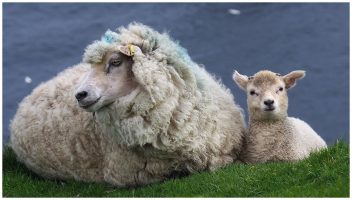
x=323, y=174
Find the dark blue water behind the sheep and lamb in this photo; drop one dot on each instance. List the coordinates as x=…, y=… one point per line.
x=40, y=40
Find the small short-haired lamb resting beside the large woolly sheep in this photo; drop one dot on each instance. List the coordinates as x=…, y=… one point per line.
x=272, y=135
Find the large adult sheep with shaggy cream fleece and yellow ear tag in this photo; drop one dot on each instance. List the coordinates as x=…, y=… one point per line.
x=152, y=111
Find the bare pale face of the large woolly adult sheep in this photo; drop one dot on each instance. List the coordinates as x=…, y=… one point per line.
x=106, y=82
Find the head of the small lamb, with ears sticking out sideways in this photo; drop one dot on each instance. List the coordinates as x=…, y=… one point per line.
x=266, y=93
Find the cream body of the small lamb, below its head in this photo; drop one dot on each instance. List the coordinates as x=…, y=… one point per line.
x=287, y=139
